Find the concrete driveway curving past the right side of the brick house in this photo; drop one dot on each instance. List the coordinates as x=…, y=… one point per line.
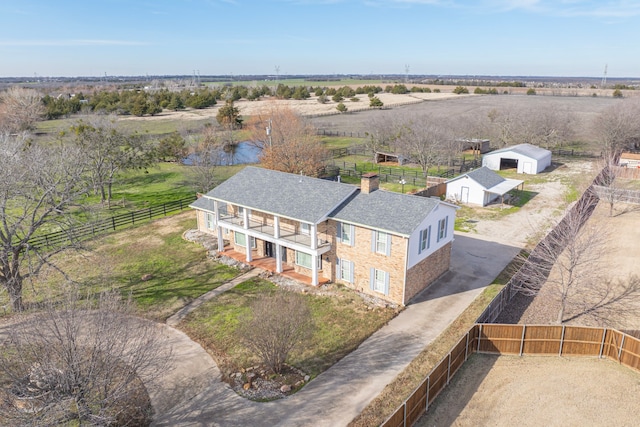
x=193, y=395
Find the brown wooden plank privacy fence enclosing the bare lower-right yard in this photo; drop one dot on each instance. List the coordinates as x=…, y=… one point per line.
x=522, y=340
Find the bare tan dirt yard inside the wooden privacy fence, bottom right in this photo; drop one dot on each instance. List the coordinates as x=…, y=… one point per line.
x=537, y=391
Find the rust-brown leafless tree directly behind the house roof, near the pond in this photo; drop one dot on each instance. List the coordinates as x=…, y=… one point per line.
x=288, y=142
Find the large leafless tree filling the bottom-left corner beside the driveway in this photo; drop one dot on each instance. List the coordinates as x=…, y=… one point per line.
x=83, y=359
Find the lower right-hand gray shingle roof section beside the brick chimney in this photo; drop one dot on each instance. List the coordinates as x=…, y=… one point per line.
x=383, y=210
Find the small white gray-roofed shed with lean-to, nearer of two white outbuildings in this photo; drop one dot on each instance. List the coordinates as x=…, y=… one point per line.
x=479, y=187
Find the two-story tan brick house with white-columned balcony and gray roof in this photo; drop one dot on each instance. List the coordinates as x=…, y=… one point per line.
x=386, y=244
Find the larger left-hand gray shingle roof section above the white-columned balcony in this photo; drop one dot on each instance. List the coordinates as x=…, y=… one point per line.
x=292, y=196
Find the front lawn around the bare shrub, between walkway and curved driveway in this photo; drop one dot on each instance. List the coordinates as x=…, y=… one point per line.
x=341, y=322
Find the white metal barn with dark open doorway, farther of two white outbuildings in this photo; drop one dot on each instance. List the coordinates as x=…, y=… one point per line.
x=525, y=158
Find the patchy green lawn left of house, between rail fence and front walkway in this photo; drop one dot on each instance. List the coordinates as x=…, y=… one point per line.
x=179, y=270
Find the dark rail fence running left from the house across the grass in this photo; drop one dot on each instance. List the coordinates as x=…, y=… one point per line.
x=92, y=229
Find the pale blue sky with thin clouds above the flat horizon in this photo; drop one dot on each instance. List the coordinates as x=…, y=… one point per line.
x=481, y=37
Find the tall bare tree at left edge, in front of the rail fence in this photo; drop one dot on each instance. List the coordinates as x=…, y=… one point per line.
x=38, y=187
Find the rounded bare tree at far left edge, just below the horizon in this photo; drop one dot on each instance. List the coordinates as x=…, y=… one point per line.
x=20, y=109
